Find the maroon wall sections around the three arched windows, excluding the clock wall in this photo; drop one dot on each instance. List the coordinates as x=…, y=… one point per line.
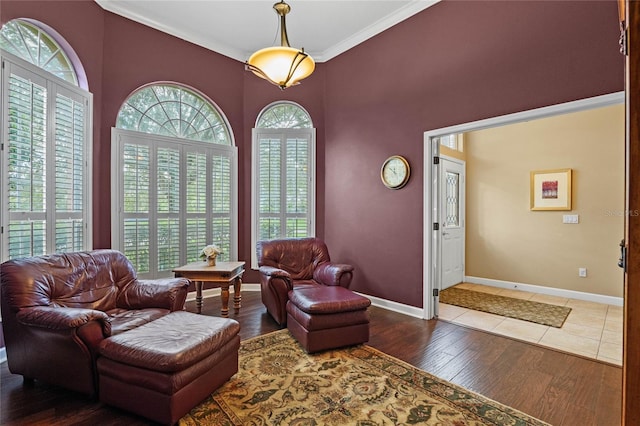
x=120, y=55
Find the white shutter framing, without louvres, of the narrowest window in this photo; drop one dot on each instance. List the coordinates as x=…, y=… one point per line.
x=283, y=135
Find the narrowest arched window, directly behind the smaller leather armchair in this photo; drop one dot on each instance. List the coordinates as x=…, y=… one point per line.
x=284, y=173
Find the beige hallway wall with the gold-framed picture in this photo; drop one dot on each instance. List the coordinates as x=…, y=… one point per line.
x=507, y=241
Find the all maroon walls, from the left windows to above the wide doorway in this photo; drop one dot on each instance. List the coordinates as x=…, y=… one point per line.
x=453, y=63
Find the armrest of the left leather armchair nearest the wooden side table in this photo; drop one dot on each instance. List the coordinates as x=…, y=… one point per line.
x=167, y=293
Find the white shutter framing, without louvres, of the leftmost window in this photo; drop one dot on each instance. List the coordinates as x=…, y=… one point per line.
x=54, y=85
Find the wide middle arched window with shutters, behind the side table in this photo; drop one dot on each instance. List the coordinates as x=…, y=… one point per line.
x=177, y=186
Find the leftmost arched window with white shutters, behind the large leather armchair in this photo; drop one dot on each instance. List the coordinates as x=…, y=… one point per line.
x=46, y=182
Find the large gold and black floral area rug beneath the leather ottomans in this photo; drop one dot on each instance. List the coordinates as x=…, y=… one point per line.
x=279, y=384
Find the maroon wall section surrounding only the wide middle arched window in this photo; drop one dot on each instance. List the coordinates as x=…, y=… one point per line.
x=135, y=55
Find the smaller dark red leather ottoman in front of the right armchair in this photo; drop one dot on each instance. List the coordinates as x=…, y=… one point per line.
x=327, y=317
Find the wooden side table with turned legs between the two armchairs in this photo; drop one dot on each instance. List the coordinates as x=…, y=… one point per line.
x=223, y=274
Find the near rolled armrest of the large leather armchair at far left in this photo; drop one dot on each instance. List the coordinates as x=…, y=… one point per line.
x=62, y=318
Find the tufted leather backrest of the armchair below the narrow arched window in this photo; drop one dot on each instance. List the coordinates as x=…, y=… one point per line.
x=298, y=256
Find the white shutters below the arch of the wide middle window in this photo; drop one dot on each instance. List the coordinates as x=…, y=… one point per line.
x=175, y=197
